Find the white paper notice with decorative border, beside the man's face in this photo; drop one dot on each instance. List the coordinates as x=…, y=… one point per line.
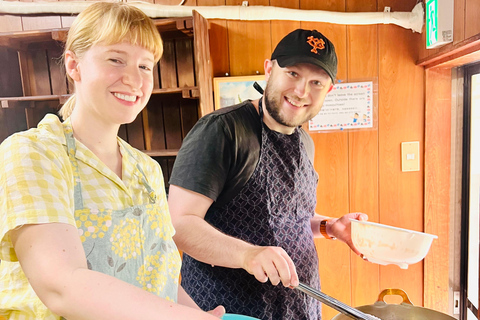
x=347, y=106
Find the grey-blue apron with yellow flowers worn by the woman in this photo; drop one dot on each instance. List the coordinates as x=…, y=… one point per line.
x=134, y=244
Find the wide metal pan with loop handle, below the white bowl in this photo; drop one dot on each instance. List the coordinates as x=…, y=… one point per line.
x=404, y=310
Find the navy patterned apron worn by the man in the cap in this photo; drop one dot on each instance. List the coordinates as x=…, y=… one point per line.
x=274, y=208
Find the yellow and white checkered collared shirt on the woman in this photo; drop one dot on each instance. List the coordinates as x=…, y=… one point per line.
x=36, y=186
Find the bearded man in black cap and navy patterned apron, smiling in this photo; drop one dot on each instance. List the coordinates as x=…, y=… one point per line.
x=243, y=191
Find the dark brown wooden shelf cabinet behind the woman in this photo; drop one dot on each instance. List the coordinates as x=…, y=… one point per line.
x=33, y=83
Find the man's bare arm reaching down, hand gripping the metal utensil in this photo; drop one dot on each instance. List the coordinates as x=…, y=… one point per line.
x=203, y=242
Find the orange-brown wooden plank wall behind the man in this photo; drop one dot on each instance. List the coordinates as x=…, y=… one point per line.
x=359, y=171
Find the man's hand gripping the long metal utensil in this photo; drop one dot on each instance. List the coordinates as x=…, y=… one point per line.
x=271, y=263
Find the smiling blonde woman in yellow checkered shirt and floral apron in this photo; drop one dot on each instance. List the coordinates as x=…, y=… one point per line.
x=85, y=229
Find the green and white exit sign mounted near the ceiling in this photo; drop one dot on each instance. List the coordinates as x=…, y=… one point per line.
x=439, y=20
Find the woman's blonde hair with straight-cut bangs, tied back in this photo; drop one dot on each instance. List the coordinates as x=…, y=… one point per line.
x=109, y=23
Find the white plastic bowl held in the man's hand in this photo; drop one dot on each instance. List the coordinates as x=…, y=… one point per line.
x=384, y=244
